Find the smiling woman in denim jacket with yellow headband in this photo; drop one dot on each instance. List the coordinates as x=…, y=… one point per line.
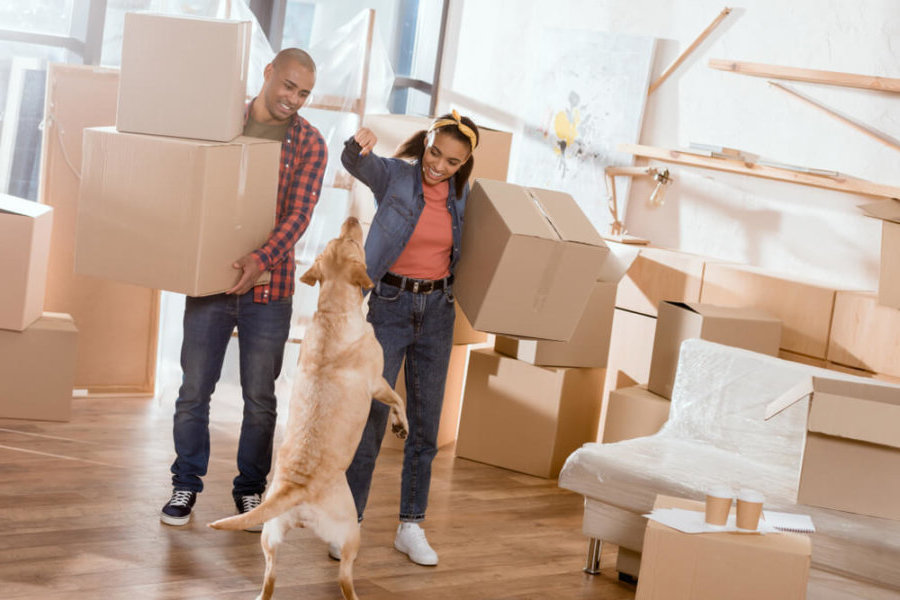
x=411, y=252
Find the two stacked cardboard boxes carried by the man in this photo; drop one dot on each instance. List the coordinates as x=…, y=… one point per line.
x=172, y=197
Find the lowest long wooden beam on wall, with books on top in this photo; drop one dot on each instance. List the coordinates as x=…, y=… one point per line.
x=840, y=183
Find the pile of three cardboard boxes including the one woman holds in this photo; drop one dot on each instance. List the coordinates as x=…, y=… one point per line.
x=533, y=267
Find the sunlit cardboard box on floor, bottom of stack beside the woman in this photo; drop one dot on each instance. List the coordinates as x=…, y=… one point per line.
x=526, y=418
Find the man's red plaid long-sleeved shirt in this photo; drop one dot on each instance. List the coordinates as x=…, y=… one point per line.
x=303, y=158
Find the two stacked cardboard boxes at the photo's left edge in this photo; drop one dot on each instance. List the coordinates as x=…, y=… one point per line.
x=37, y=349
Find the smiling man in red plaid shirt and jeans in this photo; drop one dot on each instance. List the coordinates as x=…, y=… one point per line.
x=262, y=313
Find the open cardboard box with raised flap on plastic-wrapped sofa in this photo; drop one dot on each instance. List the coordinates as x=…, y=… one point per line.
x=851, y=461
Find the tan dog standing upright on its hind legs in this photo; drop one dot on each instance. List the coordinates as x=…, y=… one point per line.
x=339, y=372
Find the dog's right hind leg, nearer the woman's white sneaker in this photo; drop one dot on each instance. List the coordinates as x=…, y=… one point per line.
x=335, y=521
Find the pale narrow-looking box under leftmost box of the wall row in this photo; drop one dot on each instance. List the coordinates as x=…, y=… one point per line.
x=630, y=352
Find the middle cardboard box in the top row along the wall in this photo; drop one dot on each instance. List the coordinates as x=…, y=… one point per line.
x=803, y=306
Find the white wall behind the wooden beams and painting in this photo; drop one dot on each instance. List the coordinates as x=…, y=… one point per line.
x=807, y=232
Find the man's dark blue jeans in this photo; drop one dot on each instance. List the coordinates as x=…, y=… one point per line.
x=262, y=333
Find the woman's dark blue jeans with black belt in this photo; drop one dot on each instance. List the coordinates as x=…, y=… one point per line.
x=419, y=328
